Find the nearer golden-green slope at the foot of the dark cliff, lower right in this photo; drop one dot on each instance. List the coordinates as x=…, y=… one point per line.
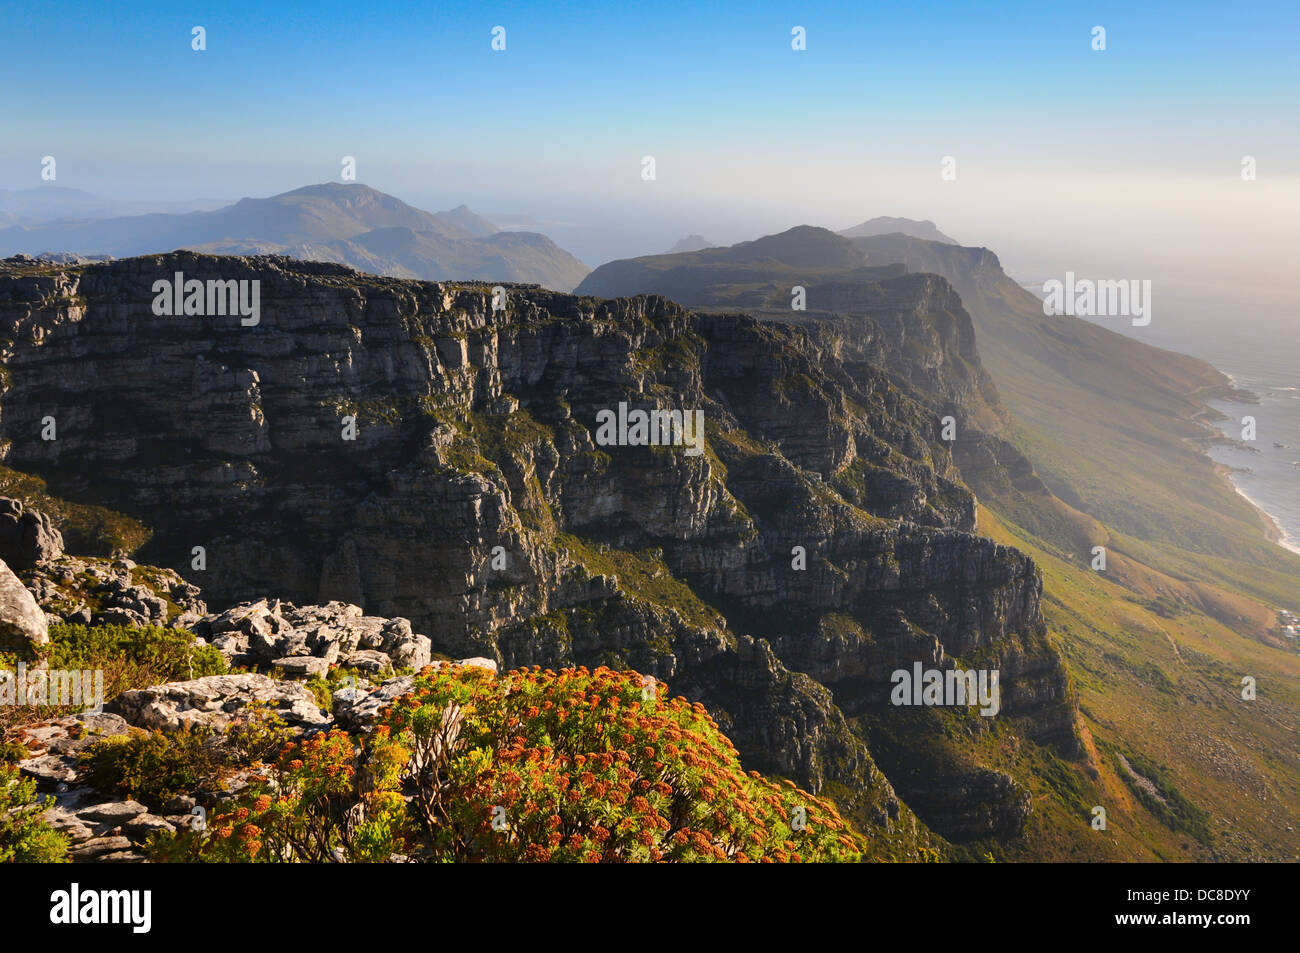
x=1162, y=683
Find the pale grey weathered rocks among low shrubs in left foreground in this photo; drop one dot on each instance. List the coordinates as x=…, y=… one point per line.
x=289, y=642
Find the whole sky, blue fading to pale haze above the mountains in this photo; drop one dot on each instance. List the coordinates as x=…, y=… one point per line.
x=747, y=133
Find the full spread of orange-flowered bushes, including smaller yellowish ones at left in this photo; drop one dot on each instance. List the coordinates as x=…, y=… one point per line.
x=535, y=765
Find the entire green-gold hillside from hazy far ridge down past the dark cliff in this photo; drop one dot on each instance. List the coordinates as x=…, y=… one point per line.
x=1098, y=441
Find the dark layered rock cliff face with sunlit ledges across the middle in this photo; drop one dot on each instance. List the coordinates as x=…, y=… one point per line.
x=406, y=448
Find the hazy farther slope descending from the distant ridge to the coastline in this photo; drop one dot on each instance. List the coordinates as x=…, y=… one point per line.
x=1112, y=427
